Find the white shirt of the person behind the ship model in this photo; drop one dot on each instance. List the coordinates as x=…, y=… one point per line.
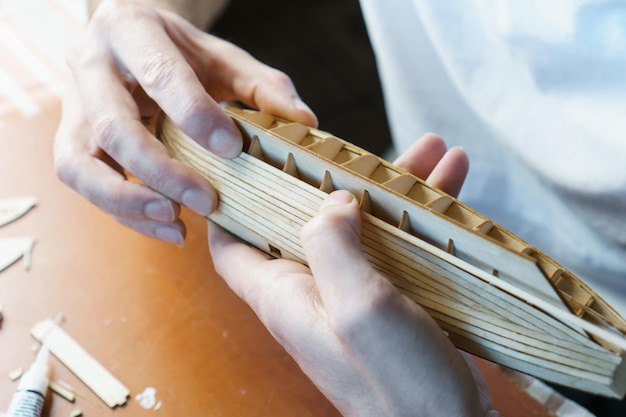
x=535, y=91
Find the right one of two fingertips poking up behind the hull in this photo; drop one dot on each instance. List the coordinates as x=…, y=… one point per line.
x=449, y=174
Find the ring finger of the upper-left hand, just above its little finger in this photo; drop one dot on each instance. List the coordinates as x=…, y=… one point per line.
x=77, y=166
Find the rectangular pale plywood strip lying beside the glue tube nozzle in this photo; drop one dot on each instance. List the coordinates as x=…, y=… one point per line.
x=81, y=363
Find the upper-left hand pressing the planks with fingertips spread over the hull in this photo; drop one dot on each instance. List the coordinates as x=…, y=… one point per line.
x=131, y=61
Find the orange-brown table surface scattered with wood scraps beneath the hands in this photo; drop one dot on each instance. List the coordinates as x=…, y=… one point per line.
x=154, y=314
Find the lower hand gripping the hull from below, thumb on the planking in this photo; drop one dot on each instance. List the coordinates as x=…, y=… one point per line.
x=369, y=349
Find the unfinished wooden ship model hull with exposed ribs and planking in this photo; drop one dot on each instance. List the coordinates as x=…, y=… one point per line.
x=496, y=296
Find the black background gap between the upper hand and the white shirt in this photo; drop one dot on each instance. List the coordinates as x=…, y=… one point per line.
x=323, y=46
